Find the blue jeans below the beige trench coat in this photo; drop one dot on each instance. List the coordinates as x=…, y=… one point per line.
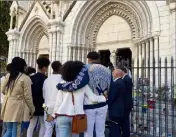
x=12, y=129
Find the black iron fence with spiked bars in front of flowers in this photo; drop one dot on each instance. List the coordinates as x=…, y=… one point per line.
x=154, y=94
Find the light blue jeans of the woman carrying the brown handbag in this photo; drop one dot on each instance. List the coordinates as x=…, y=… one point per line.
x=64, y=125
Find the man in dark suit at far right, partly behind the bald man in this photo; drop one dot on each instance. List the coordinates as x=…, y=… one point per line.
x=128, y=100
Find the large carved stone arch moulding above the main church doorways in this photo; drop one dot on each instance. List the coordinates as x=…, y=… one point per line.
x=94, y=13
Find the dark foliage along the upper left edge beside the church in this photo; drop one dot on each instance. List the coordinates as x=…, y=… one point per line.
x=4, y=26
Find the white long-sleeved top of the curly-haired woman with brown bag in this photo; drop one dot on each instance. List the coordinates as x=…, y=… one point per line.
x=84, y=96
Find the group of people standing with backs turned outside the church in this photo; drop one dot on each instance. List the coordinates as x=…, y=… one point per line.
x=97, y=92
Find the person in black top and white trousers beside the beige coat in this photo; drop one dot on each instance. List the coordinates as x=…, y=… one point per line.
x=37, y=95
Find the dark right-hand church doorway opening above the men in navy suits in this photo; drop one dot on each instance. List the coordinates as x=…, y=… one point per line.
x=124, y=57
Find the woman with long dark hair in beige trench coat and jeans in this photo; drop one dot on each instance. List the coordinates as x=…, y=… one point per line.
x=18, y=105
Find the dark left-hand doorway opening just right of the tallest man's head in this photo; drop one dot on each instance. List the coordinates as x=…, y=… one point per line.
x=104, y=57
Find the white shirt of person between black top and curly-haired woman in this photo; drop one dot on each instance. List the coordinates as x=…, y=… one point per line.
x=50, y=91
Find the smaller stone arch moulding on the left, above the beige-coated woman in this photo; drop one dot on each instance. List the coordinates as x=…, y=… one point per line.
x=31, y=34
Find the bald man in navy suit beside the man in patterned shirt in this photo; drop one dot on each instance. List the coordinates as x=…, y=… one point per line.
x=116, y=104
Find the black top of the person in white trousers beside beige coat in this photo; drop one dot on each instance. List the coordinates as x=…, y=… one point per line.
x=37, y=93
